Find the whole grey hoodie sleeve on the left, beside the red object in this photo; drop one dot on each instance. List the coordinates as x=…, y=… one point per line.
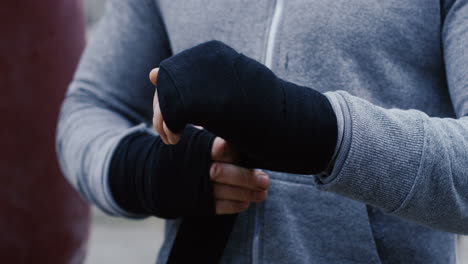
x=110, y=96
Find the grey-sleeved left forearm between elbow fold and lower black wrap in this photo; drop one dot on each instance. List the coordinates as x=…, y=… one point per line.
x=87, y=135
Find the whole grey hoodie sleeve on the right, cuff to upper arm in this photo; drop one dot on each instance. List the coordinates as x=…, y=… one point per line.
x=404, y=161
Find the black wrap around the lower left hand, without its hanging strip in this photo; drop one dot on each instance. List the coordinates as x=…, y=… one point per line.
x=150, y=178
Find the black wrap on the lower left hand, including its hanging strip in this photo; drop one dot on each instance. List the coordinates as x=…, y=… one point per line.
x=147, y=177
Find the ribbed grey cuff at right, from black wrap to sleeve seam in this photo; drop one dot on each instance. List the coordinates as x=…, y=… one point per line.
x=380, y=153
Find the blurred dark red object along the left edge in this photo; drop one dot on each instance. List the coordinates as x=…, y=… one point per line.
x=42, y=219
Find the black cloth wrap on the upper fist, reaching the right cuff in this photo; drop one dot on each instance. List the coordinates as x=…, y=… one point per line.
x=275, y=124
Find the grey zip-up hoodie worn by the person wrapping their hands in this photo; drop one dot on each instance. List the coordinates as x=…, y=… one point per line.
x=396, y=73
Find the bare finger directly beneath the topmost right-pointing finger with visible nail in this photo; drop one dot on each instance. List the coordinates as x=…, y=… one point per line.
x=233, y=193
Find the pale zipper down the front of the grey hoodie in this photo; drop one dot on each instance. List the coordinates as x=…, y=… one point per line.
x=269, y=63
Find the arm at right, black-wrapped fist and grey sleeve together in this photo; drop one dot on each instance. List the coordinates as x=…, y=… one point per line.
x=399, y=160
